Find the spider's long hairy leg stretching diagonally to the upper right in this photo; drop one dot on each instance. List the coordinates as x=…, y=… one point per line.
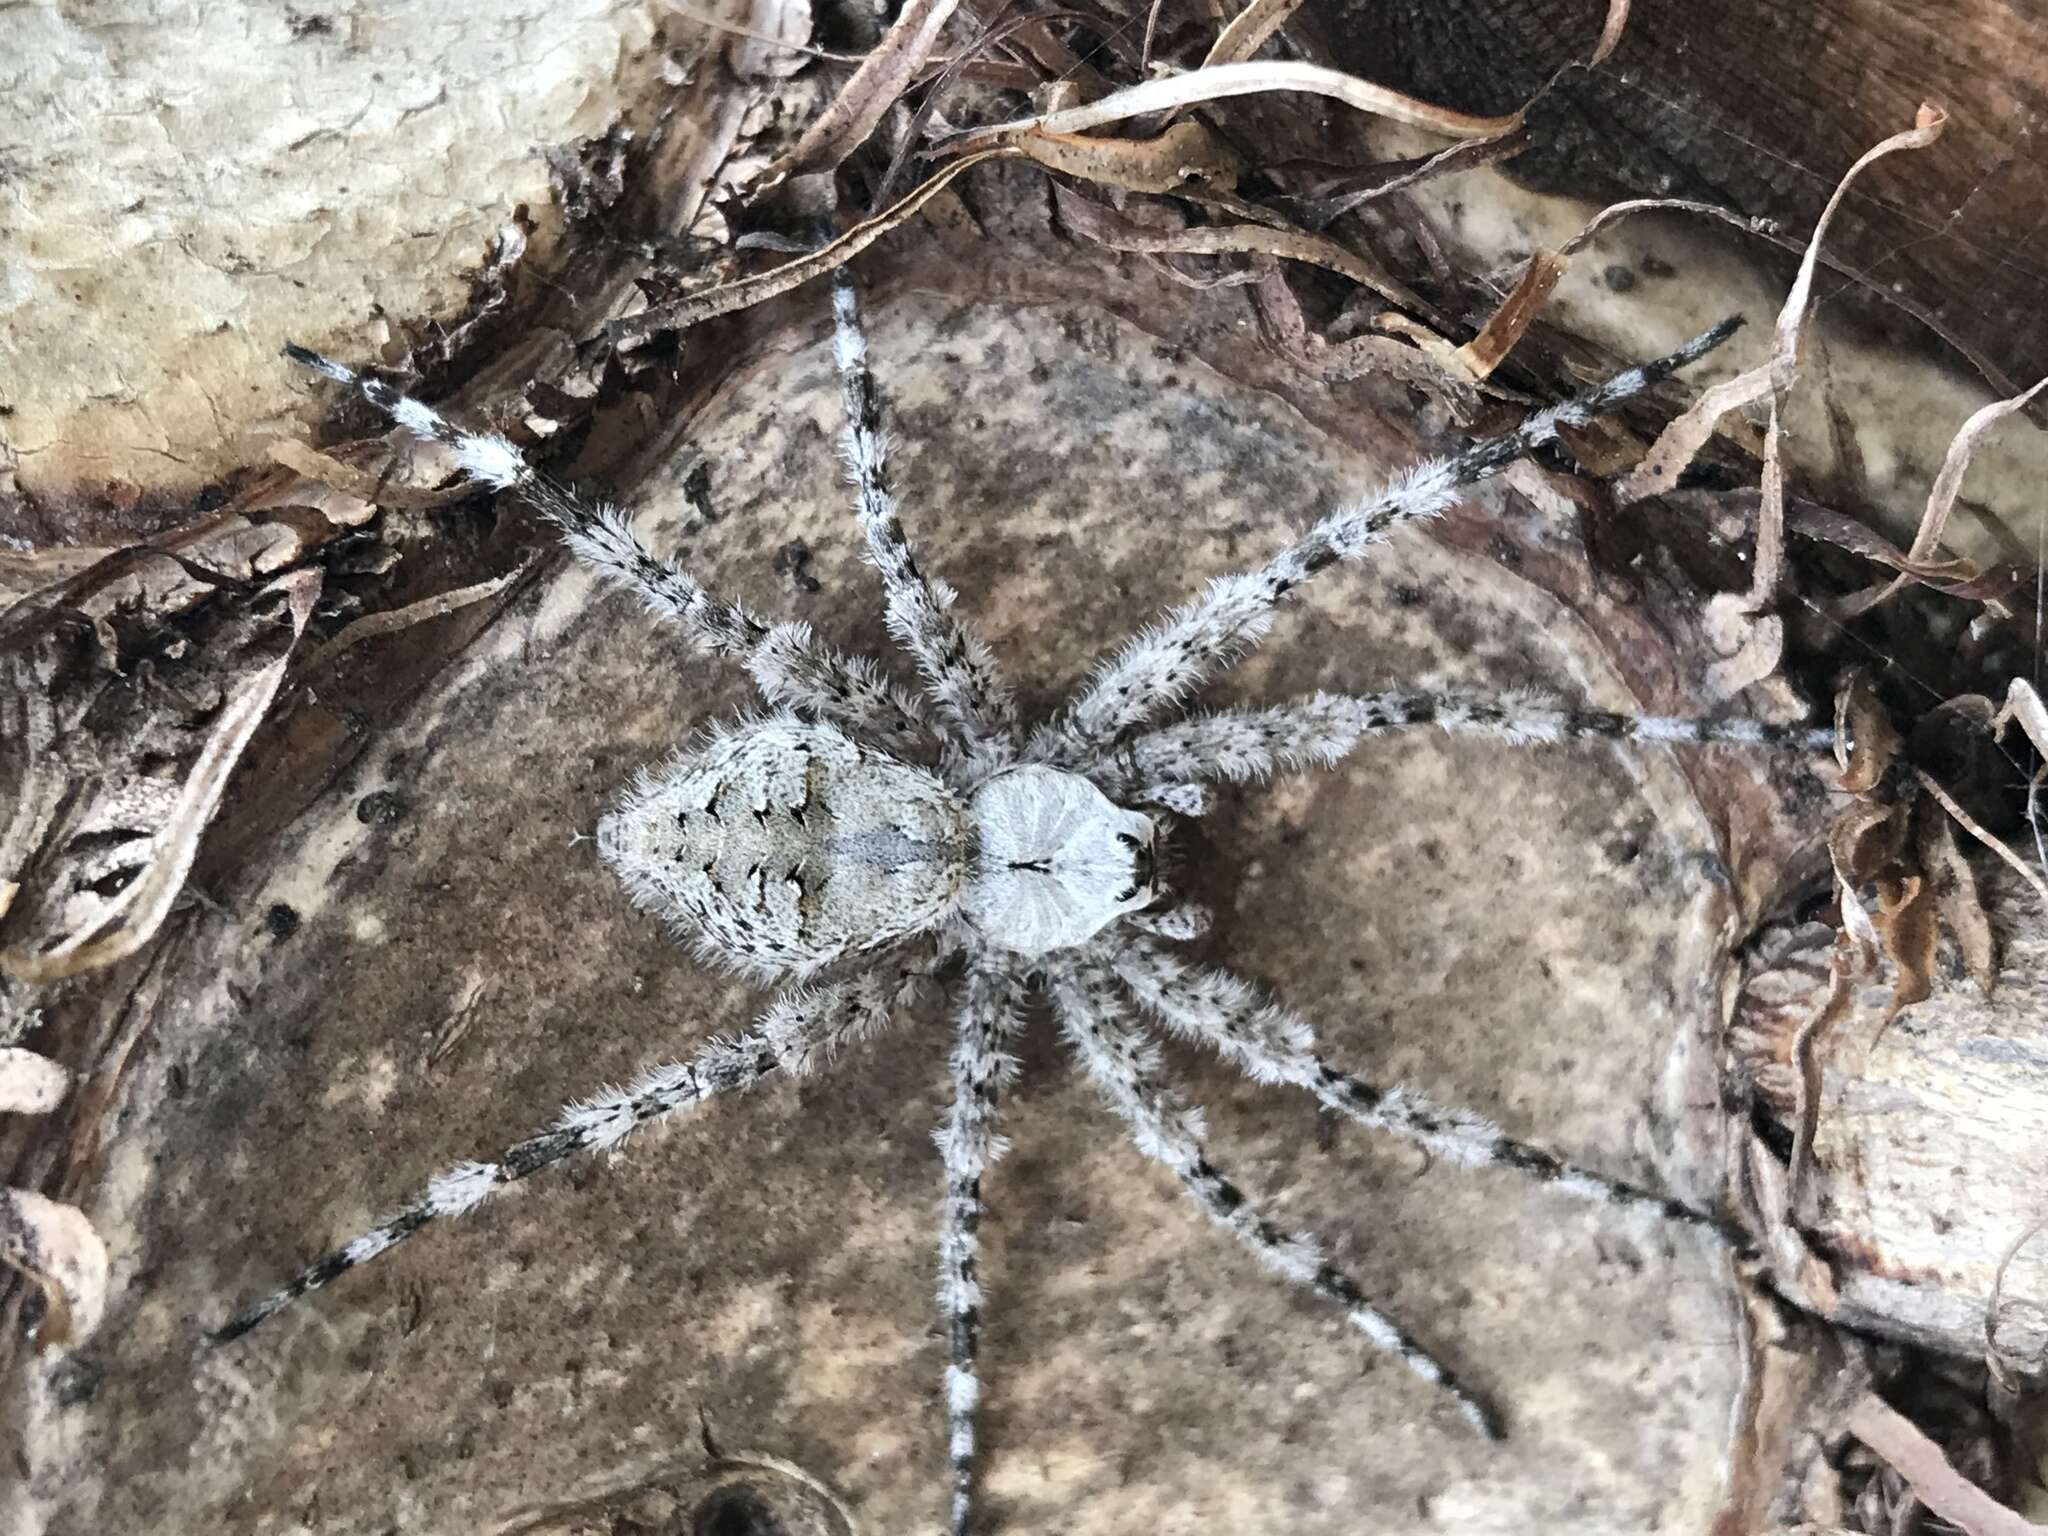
x=1189, y=644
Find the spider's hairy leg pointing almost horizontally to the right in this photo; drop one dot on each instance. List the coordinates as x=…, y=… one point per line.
x=1242, y=744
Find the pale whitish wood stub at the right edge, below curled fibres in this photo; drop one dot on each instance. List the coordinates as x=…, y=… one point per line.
x=1930, y=1148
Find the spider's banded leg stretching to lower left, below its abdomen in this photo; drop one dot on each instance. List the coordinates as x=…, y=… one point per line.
x=800, y=1031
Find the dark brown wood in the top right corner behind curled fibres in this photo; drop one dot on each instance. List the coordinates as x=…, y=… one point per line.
x=1762, y=110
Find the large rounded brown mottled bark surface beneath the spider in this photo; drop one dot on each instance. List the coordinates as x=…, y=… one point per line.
x=433, y=959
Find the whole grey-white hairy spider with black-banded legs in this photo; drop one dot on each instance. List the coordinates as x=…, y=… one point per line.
x=859, y=839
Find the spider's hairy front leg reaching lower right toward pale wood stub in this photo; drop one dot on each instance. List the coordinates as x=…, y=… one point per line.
x=1275, y=1046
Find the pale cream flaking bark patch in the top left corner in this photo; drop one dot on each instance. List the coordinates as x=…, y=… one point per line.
x=189, y=183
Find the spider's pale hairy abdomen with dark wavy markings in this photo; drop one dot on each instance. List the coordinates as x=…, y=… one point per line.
x=785, y=845
